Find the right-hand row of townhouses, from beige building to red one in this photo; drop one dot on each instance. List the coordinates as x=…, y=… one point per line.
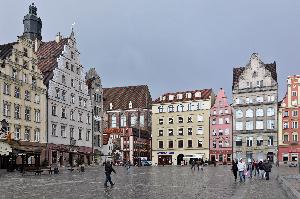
x=197, y=124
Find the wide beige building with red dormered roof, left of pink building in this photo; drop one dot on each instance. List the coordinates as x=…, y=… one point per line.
x=180, y=127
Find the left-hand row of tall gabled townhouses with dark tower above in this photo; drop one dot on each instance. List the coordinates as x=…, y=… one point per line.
x=52, y=109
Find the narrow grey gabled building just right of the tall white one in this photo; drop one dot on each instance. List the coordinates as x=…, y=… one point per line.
x=93, y=82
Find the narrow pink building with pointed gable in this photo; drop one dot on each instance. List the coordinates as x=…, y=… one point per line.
x=220, y=148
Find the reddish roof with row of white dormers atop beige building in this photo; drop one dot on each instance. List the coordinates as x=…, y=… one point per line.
x=205, y=94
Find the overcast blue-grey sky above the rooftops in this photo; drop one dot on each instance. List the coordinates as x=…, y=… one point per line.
x=170, y=45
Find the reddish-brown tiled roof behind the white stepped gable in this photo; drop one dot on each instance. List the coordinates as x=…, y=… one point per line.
x=48, y=53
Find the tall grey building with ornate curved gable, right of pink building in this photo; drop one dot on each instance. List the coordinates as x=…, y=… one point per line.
x=255, y=95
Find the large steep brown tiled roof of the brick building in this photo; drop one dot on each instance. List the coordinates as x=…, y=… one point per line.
x=121, y=96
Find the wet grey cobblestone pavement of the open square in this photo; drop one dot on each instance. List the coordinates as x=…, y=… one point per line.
x=140, y=182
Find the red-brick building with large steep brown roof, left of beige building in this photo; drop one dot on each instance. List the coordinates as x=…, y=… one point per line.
x=128, y=109
